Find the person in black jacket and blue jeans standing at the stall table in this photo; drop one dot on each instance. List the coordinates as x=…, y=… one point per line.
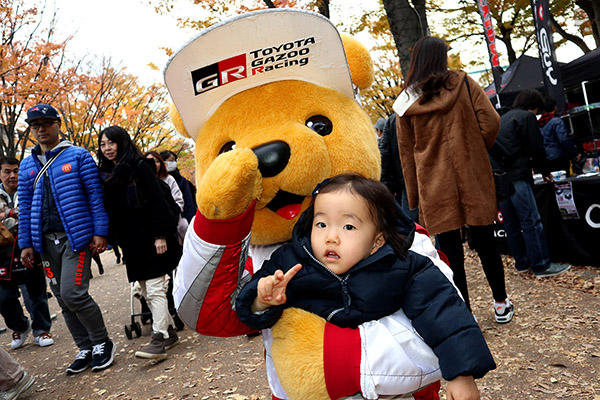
x=519, y=148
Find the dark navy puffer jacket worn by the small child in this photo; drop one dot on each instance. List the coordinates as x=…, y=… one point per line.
x=375, y=287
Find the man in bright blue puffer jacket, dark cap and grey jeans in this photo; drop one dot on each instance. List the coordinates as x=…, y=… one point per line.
x=62, y=217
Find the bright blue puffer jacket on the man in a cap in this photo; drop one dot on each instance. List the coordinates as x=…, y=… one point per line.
x=77, y=192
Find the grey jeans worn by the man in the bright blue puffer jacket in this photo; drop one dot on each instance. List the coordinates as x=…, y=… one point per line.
x=70, y=283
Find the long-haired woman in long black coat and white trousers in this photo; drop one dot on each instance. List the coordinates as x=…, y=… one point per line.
x=136, y=208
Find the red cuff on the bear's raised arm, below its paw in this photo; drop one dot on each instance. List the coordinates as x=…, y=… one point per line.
x=224, y=231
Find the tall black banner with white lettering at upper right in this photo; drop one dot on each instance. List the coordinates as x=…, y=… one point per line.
x=543, y=30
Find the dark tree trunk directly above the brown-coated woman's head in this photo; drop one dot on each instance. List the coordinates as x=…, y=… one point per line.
x=408, y=25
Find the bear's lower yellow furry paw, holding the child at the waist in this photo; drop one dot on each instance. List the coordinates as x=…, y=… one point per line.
x=297, y=349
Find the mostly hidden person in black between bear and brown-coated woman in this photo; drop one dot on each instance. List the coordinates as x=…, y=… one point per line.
x=391, y=167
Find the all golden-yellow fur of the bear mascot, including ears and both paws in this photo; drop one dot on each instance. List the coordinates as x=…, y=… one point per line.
x=229, y=181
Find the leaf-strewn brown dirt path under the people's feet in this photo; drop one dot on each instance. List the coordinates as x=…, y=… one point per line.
x=551, y=350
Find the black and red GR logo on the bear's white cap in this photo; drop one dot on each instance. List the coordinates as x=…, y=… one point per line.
x=218, y=74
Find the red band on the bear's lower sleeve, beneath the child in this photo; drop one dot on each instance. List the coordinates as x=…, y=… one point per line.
x=341, y=361
